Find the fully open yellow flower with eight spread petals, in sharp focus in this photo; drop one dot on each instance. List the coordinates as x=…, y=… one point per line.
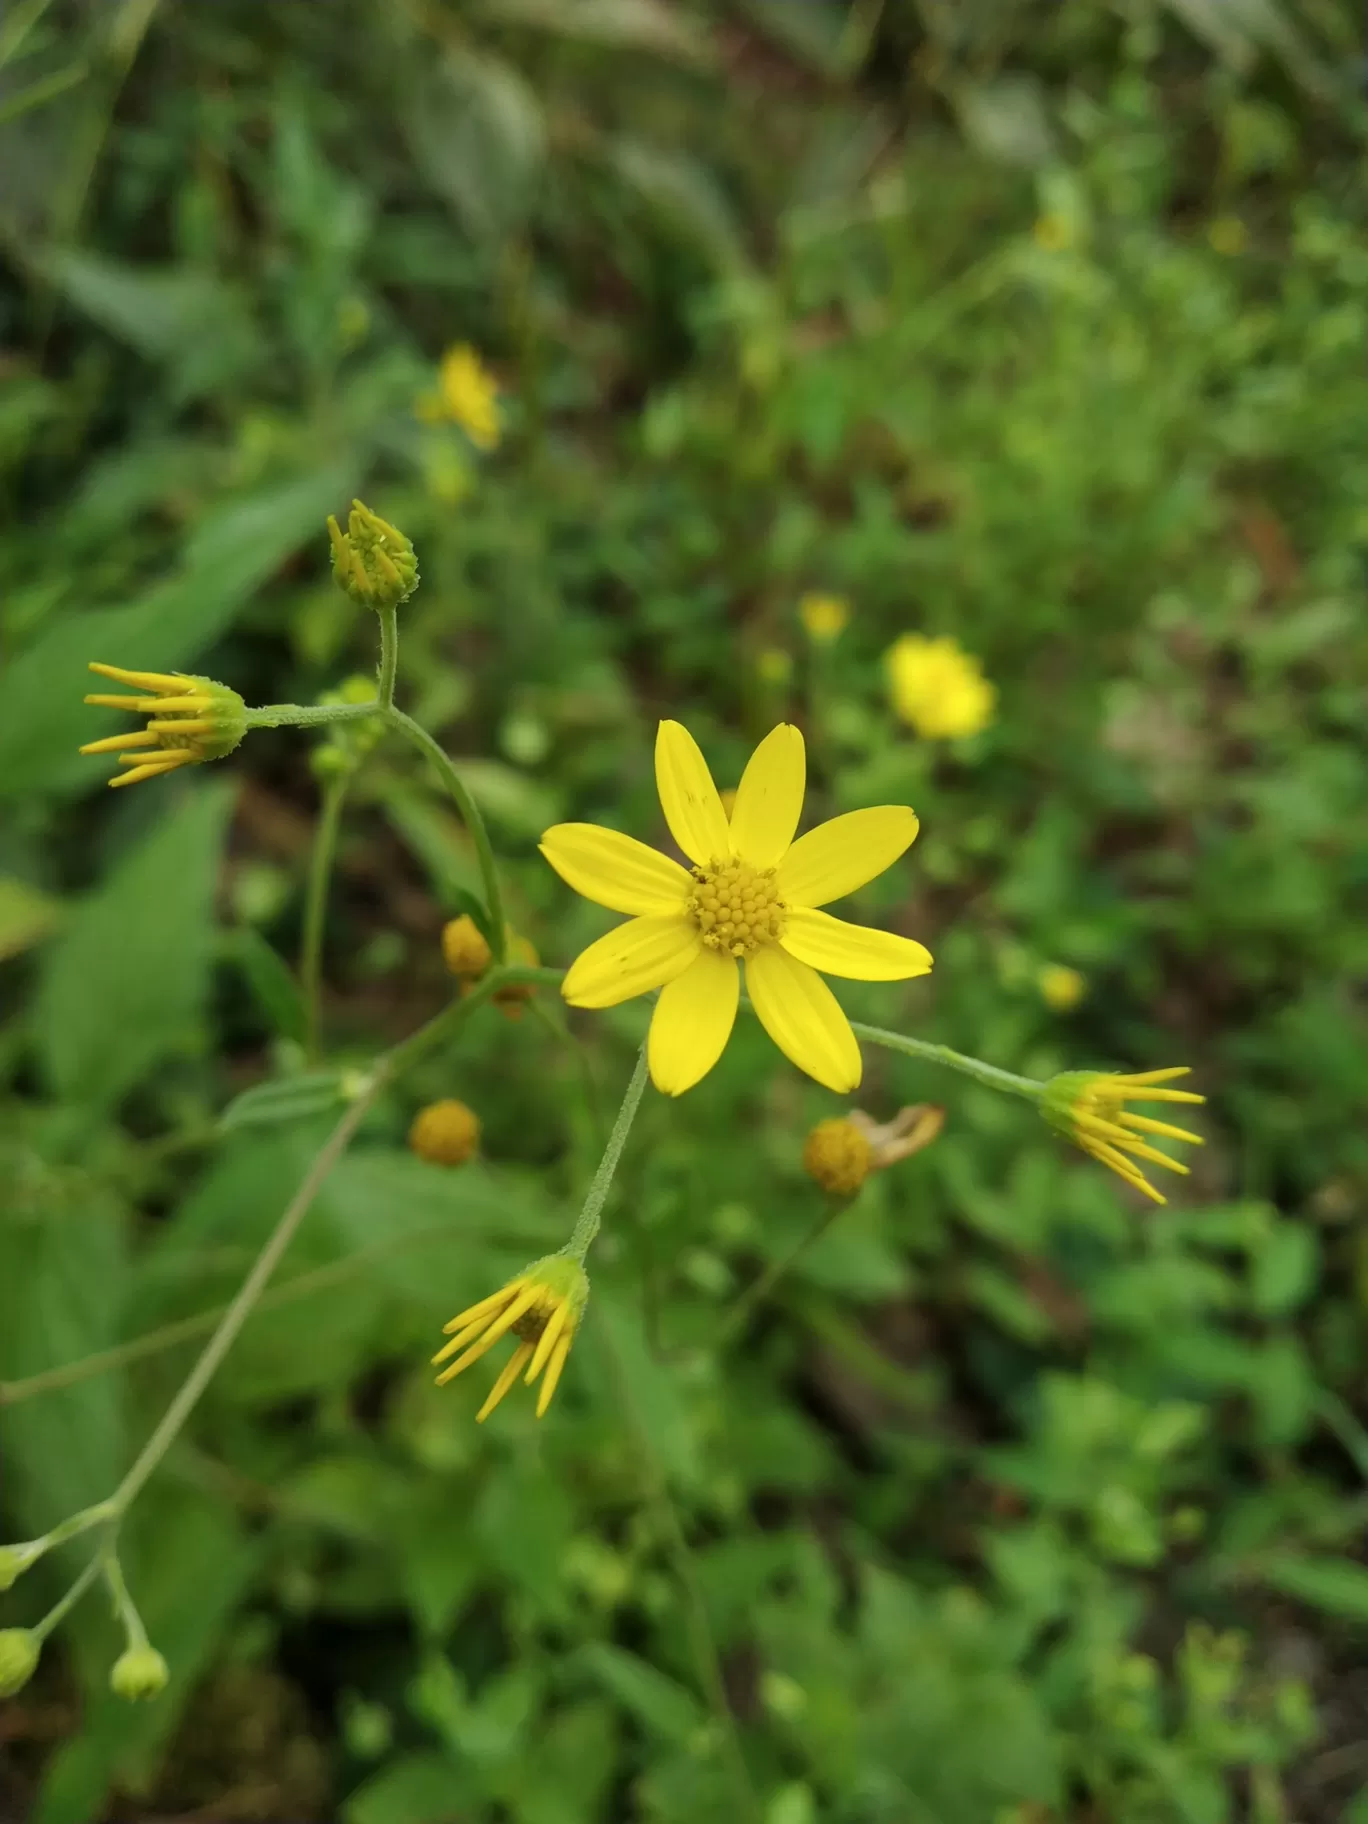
x=751, y=896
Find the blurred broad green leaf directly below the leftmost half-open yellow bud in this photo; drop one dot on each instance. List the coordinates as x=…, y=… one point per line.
x=129, y=977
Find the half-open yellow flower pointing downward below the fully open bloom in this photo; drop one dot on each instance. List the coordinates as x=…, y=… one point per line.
x=543, y=1307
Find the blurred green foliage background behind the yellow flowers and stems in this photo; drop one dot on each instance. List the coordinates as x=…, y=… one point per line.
x=1037, y=324
